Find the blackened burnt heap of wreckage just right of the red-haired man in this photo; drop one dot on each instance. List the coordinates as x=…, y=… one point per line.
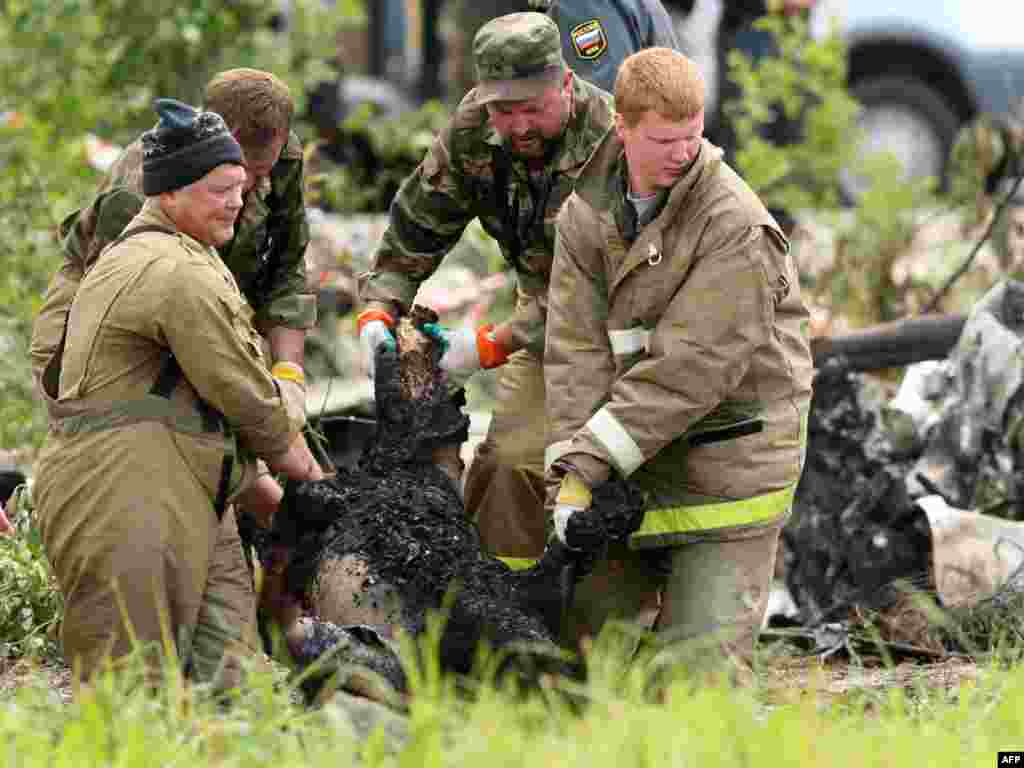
x=855, y=532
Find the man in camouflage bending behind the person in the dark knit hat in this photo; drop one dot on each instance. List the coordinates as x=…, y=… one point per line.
x=267, y=254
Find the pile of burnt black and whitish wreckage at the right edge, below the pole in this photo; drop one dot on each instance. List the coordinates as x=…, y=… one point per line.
x=909, y=508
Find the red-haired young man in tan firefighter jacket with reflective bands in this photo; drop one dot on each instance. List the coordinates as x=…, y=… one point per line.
x=677, y=355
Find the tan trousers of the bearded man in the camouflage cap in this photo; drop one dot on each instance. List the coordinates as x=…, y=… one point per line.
x=505, y=489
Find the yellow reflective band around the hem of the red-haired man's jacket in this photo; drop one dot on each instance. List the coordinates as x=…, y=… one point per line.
x=720, y=516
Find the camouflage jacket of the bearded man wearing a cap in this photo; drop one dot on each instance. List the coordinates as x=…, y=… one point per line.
x=468, y=174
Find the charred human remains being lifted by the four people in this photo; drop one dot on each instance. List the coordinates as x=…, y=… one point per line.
x=389, y=544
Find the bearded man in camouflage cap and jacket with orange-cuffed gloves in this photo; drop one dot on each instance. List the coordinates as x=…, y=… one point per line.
x=509, y=156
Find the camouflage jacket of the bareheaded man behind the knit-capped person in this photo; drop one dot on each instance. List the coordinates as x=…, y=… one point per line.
x=267, y=255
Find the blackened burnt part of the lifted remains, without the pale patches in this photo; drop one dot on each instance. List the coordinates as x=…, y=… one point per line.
x=404, y=518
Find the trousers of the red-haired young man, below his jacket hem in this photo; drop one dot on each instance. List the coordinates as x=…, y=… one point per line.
x=705, y=600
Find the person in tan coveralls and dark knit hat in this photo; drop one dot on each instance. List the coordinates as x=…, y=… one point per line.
x=158, y=385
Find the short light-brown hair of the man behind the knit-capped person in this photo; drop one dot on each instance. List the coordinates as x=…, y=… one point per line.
x=257, y=106
